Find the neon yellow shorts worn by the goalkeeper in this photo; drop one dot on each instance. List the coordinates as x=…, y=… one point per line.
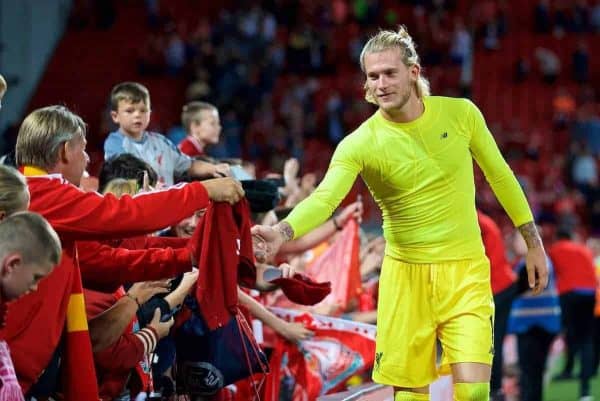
x=420, y=303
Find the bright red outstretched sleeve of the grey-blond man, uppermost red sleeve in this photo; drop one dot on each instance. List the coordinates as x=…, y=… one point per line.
x=78, y=215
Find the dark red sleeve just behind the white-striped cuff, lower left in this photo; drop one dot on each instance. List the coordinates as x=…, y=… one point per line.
x=123, y=355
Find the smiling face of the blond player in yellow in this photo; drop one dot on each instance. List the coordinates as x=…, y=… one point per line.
x=389, y=82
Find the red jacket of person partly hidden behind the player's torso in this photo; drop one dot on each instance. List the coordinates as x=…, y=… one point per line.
x=502, y=275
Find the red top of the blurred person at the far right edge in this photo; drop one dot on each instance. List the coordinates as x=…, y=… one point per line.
x=573, y=265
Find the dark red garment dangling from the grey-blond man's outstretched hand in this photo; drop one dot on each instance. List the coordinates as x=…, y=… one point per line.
x=225, y=252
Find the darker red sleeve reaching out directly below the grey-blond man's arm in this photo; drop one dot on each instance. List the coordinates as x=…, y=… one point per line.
x=104, y=268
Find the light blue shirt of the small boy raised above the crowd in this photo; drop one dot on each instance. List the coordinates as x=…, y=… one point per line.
x=154, y=149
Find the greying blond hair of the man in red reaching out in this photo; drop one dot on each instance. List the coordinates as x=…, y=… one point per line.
x=43, y=132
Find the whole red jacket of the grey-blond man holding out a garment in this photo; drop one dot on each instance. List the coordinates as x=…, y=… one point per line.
x=34, y=329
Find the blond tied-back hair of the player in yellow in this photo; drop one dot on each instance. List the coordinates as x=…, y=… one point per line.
x=385, y=40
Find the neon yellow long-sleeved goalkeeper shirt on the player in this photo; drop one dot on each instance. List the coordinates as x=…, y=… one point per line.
x=420, y=174
